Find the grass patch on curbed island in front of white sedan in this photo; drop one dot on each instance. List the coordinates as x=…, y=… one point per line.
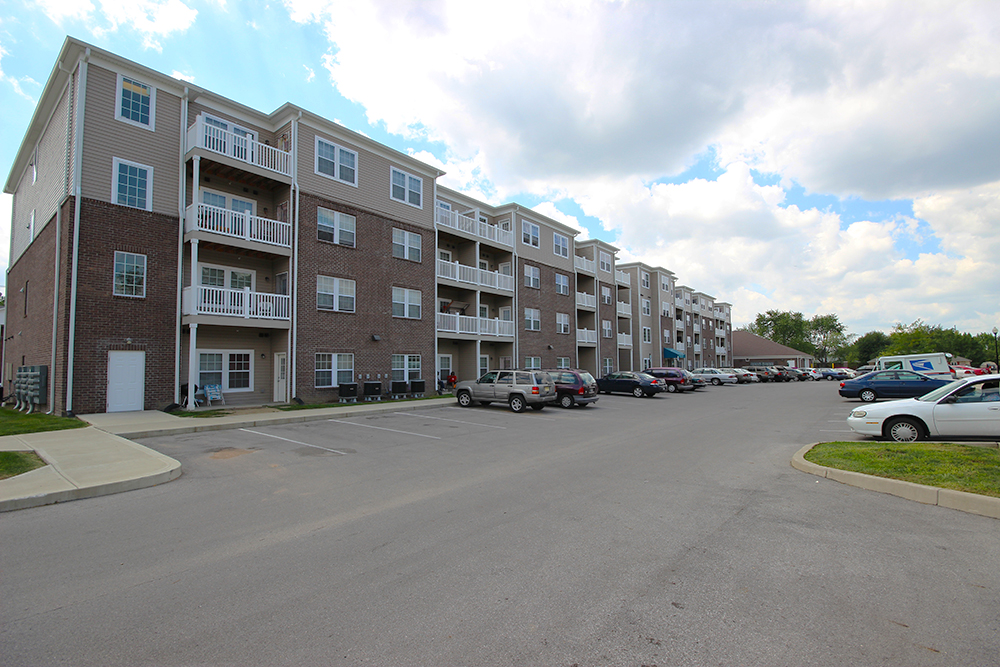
x=941, y=464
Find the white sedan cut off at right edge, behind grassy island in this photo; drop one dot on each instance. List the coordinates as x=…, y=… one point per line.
x=965, y=408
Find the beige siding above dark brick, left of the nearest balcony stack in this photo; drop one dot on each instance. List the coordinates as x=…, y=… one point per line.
x=106, y=138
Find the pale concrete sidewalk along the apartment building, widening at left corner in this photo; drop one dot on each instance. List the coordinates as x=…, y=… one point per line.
x=99, y=460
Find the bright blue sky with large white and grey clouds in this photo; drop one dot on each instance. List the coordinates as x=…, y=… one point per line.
x=822, y=157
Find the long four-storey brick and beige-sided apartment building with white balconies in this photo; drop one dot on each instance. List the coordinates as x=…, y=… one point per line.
x=165, y=237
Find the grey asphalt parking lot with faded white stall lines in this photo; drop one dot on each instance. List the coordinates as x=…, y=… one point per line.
x=666, y=530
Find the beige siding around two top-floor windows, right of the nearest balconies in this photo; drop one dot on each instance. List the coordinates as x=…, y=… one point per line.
x=373, y=176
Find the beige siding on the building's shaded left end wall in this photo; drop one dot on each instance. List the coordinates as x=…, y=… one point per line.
x=51, y=187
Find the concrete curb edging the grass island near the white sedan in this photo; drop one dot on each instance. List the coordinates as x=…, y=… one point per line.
x=929, y=495
